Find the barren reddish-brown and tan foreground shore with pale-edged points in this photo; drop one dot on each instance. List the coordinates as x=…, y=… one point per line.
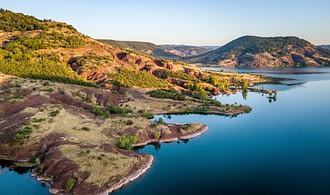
x=82, y=156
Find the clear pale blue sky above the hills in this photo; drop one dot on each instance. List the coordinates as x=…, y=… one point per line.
x=194, y=22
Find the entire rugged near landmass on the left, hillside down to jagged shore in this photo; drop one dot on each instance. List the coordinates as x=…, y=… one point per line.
x=82, y=105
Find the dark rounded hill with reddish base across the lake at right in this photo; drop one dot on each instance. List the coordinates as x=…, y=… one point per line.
x=265, y=52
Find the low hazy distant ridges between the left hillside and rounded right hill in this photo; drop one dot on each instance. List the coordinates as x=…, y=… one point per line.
x=161, y=51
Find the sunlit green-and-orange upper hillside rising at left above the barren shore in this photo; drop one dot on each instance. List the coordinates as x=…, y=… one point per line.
x=56, y=51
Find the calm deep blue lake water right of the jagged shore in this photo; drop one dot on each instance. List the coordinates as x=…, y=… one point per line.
x=282, y=147
